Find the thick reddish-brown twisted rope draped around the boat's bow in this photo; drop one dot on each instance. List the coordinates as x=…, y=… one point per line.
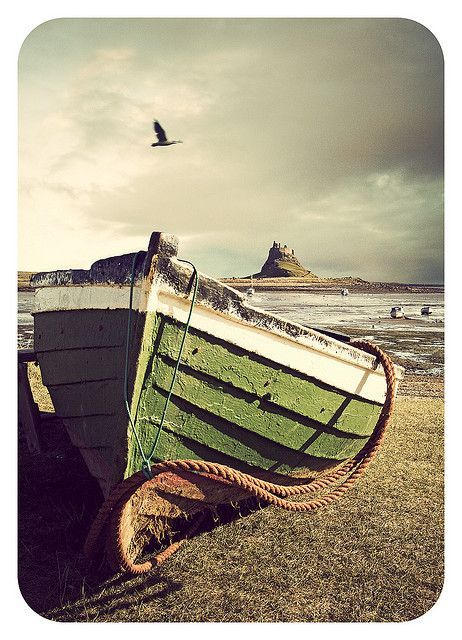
x=345, y=477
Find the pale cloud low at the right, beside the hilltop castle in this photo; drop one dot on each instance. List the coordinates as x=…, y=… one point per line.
x=387, y=225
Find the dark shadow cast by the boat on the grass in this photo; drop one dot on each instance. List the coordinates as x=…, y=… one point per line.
x=58, y=499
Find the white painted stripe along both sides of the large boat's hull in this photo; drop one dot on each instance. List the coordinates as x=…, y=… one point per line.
x=325, y=359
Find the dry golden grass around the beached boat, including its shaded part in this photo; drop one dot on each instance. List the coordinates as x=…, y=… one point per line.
x=376, y=555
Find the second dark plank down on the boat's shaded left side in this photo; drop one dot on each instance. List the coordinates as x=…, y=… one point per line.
x=80, y=365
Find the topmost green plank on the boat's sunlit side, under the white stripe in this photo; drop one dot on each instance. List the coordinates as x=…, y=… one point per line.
x=280, y=387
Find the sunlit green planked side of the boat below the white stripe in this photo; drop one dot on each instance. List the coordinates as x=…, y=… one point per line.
x=234, y=407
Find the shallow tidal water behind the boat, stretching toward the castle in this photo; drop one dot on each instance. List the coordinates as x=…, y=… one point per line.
x=415, y=341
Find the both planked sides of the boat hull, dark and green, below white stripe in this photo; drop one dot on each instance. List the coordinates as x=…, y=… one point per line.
x=227, y=405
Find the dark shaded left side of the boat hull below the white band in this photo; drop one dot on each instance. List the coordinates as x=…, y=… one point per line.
x=81, y=354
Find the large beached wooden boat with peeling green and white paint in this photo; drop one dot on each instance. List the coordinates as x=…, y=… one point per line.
x=252, y=391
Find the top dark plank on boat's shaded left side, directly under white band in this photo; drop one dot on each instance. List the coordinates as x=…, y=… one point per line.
x=82, y=328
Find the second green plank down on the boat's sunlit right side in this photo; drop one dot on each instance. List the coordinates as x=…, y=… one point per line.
x=251, y=414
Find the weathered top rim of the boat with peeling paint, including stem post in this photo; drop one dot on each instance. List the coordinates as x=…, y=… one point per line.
x=161, y=269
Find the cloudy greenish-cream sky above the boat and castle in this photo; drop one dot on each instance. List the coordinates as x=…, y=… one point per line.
x=322, y=134
